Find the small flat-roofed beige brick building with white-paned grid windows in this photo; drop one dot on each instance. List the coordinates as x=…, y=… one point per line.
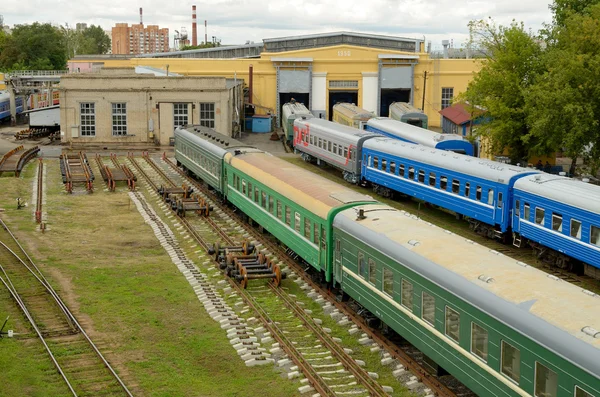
x=118, y=106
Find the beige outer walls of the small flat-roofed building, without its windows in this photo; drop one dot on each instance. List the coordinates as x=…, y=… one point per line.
x=149, y=102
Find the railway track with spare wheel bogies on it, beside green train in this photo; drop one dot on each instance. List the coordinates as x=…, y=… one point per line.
x=329, y=368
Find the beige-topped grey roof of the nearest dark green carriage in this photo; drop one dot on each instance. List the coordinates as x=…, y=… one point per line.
x=550, y=311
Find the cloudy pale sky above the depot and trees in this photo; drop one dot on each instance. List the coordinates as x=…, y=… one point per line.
x=240, y=21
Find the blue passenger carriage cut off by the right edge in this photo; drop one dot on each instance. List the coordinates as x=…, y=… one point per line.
x=562, y=214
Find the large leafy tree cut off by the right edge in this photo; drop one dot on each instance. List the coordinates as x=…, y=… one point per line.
x=563, y=106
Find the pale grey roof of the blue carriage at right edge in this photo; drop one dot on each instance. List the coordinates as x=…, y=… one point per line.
x=568, y=191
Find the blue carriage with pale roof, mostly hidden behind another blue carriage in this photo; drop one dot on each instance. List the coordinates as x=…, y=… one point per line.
x=410, y=133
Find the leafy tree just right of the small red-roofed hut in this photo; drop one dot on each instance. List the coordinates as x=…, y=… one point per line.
x=512, y=65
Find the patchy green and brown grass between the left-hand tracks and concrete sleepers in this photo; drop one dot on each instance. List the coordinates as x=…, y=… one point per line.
x=111, y=270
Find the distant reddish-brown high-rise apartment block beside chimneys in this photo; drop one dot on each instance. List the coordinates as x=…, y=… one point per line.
x=139, y=39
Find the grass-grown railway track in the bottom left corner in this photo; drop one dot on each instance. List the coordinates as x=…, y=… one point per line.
x=79, y=362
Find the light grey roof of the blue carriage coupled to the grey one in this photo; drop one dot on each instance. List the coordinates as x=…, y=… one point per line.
x=481, y=168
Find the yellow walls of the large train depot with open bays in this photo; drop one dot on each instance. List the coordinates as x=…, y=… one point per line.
x=342, y=62
